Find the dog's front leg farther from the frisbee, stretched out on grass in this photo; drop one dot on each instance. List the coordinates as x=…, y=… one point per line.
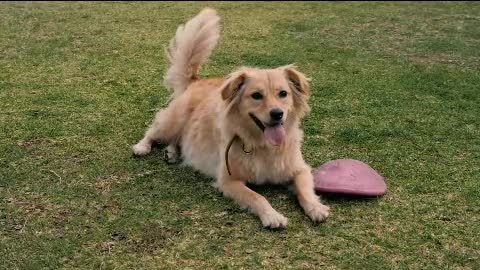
x=245, y=197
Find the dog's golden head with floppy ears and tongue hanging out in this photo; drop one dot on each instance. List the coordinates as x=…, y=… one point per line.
x=266, y=103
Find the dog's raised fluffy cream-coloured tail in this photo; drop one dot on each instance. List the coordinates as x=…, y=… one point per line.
x=190, y=48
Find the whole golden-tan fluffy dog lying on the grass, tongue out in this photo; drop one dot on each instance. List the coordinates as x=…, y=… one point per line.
x=240, y=129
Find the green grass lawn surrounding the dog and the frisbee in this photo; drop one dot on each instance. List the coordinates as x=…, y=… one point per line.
x=395, y=85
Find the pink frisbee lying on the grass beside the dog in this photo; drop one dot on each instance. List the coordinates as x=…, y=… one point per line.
x=349, y=176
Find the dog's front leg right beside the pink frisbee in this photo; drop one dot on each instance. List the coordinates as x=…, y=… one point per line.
x=307, y=198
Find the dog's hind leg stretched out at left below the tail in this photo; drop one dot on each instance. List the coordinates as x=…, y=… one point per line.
x=166, y=127
